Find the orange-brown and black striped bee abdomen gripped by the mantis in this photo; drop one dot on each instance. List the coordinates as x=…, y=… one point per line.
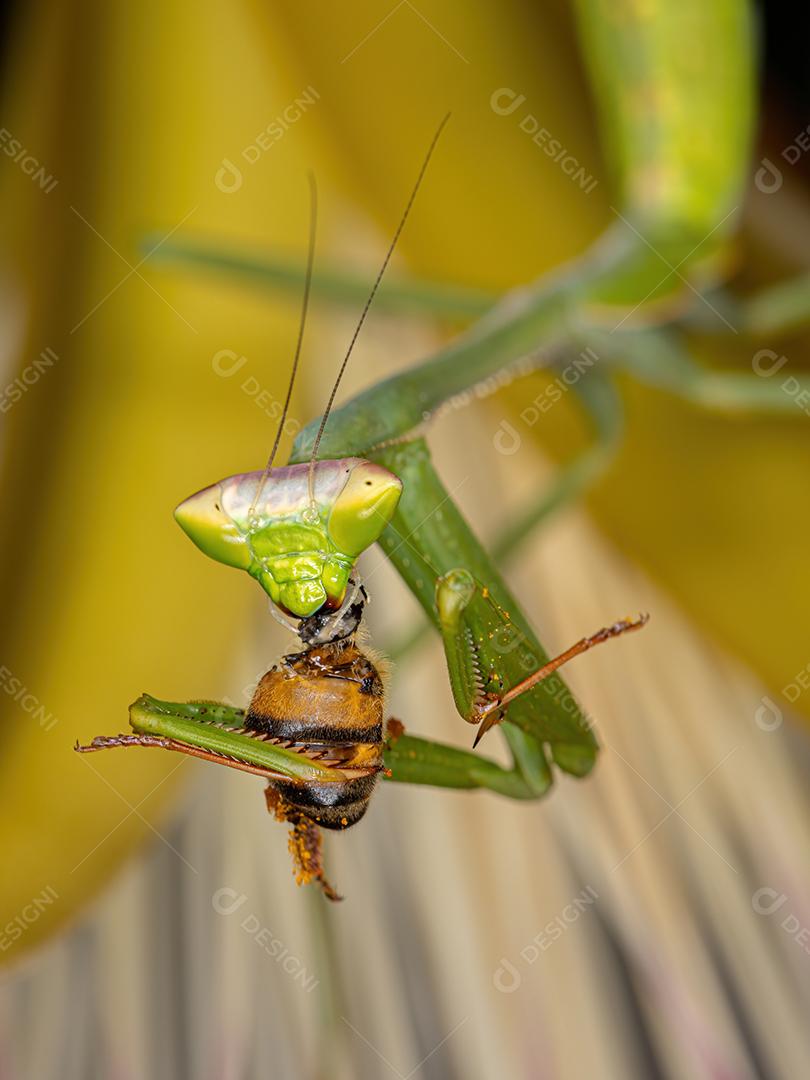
x=326, y=703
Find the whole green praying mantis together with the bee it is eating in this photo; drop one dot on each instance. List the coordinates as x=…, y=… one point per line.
x=363, y=474
